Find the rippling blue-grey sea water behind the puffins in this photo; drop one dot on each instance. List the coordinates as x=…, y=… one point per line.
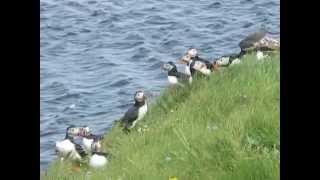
x=96, y=53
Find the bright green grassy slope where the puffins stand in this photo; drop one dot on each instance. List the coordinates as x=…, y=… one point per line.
x=226, y=127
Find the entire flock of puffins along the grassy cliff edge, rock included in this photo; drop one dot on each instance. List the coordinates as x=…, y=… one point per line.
x=259, y=43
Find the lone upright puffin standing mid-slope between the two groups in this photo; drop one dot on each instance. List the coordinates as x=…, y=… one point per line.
x=135, y=112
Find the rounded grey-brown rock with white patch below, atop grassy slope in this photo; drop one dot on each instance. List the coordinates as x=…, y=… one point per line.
x=259, y=42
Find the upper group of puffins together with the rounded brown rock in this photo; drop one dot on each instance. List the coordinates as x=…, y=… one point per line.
x=260, y=43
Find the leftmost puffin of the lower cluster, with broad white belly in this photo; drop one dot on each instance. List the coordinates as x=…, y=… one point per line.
x=68, y=148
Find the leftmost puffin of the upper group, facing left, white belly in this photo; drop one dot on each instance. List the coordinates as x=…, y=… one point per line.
x=175, y=77
